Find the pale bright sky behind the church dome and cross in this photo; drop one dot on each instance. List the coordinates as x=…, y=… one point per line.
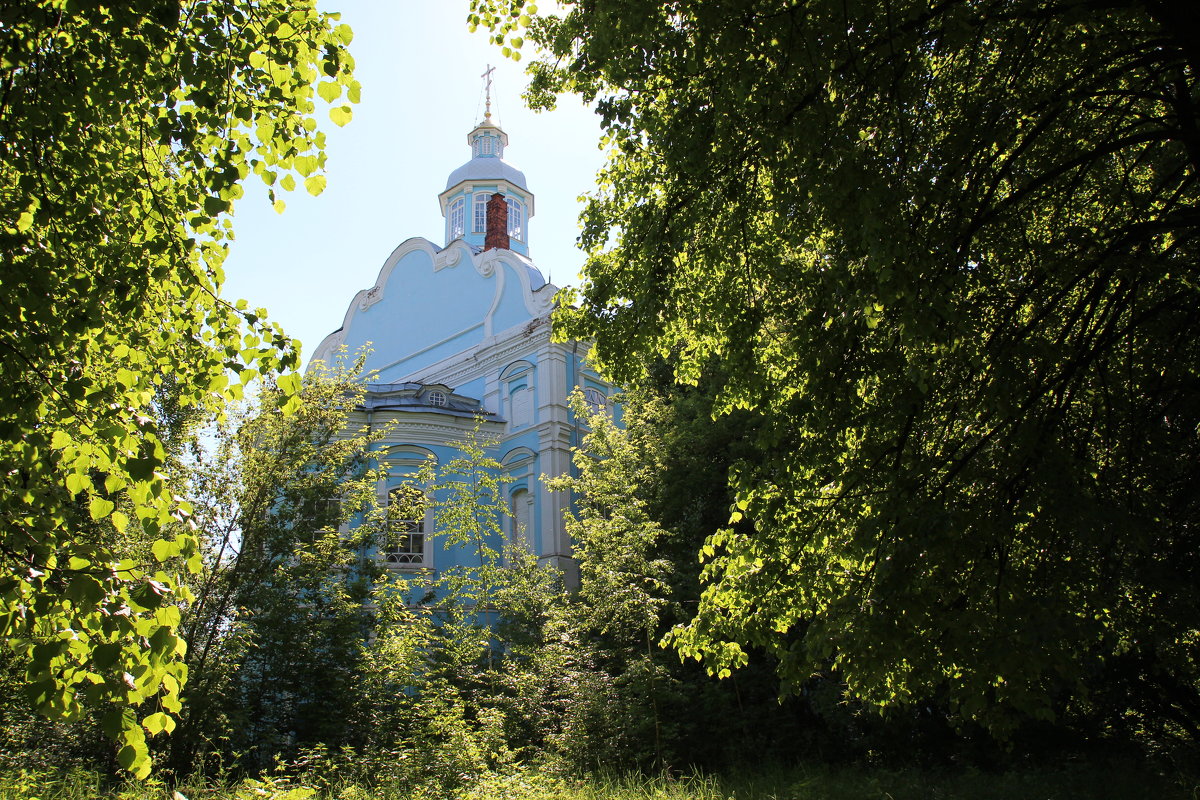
x=422, y=94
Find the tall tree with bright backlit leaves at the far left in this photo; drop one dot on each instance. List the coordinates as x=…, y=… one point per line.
x=127, y=133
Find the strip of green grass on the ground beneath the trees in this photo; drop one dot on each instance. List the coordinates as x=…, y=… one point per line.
x=1090, y=783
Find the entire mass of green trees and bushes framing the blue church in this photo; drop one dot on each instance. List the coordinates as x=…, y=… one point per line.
x=904, y=299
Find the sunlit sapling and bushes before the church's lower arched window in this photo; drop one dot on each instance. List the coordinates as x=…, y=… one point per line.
x=439, y=671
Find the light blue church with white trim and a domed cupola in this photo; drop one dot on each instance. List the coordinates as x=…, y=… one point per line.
x=459, y=334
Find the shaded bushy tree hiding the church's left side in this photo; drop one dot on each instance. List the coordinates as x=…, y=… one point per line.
x=279, y=618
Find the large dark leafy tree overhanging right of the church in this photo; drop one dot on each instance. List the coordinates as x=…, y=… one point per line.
x=947, y=254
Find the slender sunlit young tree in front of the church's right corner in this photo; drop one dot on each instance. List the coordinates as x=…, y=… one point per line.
x=601, y=673
